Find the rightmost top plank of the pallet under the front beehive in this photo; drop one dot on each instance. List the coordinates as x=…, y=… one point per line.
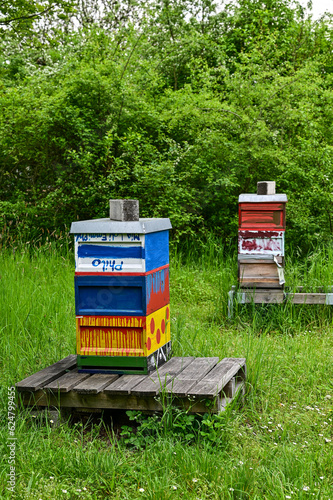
x=213, y=383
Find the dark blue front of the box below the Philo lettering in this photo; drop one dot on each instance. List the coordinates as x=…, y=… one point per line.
x=110, y=295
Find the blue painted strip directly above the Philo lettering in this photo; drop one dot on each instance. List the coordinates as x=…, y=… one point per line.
x=111, y=252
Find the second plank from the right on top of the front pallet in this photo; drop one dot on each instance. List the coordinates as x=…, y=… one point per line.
x=194, y=372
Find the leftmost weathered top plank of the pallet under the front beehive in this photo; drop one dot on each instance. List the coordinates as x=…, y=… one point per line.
x=47, y=375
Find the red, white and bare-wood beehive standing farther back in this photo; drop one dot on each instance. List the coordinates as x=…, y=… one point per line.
x=262, y=224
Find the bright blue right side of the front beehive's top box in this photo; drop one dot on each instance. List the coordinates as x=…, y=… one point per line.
x=157, y=250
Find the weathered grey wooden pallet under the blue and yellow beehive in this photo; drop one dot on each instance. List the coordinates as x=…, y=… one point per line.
x=199, y=385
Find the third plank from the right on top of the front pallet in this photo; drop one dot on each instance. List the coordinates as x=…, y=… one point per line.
x=162, y=377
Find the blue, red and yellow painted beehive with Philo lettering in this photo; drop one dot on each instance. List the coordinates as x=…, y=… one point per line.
x=122, y=300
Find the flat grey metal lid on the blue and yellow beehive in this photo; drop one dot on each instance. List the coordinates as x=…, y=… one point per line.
x=107, y=226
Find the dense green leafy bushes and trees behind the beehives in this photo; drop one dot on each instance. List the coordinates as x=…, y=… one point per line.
x=178, y=108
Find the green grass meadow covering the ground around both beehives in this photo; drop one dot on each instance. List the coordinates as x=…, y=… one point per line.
x=275, y=446
